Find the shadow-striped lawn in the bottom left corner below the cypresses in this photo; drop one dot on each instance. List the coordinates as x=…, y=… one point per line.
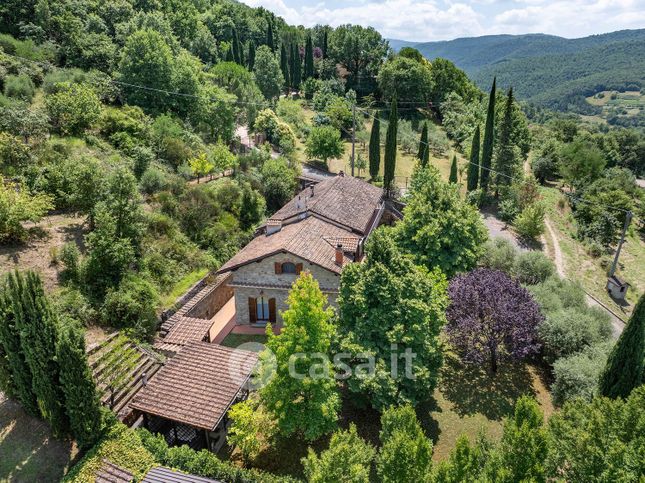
x=28, y=452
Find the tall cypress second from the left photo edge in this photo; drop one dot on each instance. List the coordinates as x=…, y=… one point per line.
x=38, y=334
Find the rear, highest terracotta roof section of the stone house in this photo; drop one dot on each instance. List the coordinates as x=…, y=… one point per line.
x=345, y=200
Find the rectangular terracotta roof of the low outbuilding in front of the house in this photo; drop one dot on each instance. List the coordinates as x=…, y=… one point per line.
x=197, y=385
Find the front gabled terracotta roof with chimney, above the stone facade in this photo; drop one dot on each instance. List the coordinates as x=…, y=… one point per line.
x=306, y=239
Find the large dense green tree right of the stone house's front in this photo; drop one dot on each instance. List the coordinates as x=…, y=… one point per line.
x=409, y=304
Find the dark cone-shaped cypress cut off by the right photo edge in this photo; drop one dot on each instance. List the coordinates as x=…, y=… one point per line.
x=626, y=363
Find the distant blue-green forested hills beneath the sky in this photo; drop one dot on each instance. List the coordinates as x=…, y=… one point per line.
x=545, y=69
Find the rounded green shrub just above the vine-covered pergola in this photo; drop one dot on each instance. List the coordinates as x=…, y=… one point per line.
x=132, y=306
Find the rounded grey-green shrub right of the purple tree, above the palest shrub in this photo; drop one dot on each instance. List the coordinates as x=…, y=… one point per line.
x=569, y=331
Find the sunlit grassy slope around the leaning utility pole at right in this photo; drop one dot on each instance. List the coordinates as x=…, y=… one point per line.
x=592, y=272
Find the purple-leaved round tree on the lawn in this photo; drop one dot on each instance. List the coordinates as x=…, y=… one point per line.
x=491, y=317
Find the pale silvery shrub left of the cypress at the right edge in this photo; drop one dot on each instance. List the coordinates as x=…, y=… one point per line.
x=576, y=376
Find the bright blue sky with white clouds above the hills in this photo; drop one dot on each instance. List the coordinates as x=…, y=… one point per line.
x=426, y=20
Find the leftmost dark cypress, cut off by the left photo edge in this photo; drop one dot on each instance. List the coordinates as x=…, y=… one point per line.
x=20, y=378
